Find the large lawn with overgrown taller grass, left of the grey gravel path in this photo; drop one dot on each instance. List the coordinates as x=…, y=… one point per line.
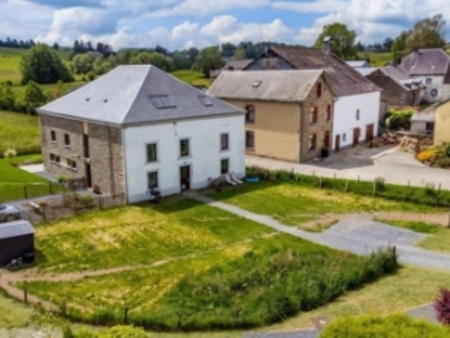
x=219, y=270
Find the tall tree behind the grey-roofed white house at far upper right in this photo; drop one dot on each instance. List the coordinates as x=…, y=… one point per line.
x=427, y=33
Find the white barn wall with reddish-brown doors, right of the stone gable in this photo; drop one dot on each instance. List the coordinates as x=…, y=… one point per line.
x=345, y=121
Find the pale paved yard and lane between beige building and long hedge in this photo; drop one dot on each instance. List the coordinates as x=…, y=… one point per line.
x=395, y=166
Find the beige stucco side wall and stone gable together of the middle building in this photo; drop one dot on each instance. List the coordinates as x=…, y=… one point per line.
x=282, y=129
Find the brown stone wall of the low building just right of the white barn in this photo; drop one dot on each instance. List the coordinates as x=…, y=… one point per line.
x=394, y=94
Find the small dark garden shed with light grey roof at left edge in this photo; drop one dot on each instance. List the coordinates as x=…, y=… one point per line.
x=16, y=240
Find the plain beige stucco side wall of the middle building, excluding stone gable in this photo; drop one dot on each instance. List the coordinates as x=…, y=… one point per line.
x=276, y=129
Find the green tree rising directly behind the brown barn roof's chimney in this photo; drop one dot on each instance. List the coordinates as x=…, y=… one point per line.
x=342, y=40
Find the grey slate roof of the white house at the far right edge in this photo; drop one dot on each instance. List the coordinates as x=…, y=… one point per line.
x=432, y=61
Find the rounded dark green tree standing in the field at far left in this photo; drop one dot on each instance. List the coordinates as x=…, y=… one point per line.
x=43, y=65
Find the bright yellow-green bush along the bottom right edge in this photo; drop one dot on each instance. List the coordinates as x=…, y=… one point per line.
x=378, y=327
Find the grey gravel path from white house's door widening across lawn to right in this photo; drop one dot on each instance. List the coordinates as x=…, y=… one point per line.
x=356, y=235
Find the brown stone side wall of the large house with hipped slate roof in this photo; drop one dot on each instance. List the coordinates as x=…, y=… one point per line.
x=105, y=152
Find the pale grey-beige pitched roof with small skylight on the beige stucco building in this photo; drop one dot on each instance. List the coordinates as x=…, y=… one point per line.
x=273, y=85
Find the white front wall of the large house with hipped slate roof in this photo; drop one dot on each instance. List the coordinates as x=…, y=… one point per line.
x=205, y=153
